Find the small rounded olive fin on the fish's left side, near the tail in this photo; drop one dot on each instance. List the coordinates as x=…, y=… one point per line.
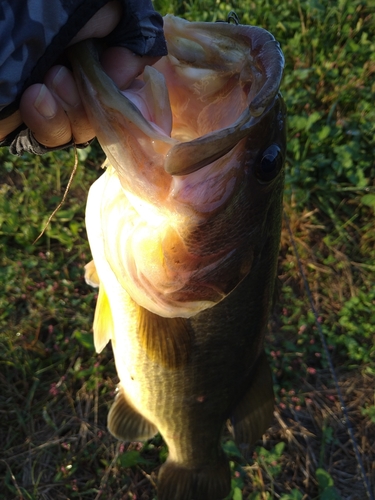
x=125, y=423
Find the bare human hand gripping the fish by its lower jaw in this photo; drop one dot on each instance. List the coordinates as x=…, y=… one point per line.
x=53, y=111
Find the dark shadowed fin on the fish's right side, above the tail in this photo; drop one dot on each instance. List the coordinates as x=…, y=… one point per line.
x=254, y=413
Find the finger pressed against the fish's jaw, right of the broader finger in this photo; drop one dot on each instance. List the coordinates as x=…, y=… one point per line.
x=61, y=83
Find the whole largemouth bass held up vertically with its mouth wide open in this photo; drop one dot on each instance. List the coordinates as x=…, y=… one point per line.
x=184, y=229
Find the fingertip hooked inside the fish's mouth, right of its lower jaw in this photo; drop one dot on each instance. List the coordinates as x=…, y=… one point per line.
x=123, y=66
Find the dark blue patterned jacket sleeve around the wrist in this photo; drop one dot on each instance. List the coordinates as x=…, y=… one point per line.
x=34, y=35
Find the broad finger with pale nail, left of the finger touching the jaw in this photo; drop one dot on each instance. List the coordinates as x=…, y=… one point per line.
x=44, y=116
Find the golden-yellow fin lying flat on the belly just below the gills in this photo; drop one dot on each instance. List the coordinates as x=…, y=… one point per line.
x=167, y=340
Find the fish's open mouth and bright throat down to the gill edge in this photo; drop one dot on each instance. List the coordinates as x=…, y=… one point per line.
x=181, y=141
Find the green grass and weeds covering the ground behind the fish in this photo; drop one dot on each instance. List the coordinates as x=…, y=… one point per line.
x=55, y=391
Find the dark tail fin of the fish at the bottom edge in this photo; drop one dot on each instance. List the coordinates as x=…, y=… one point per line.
x=176, y=482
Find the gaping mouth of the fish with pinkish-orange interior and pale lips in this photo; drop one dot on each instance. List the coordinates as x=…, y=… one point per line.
x=196, y=103
